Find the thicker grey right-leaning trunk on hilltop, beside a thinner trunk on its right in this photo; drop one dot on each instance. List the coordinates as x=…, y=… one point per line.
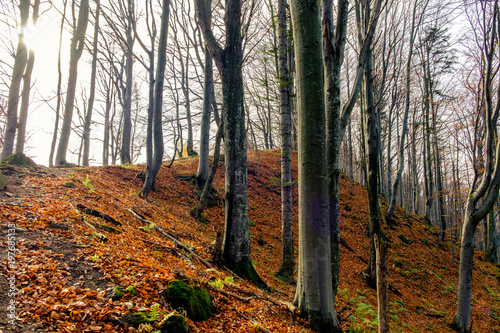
x=77, y=44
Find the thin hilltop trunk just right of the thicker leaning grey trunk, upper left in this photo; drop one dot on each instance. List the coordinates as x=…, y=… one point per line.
x=93, y=75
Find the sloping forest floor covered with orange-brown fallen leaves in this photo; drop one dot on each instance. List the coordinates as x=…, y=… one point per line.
x=67, y=262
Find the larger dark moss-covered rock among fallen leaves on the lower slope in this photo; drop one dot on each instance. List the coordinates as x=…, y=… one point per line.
x=195, y=300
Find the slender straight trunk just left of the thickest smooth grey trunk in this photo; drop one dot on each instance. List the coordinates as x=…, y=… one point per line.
x=287, y=267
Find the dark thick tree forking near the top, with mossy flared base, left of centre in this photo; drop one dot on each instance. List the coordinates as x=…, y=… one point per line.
x=229, y=61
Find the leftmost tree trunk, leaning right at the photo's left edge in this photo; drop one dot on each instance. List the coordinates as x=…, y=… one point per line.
x=17, y=75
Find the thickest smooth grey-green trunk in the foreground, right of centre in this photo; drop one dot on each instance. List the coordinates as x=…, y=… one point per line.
x=314, y=295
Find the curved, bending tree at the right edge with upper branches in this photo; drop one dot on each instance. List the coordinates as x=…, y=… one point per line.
x=484, y=191
